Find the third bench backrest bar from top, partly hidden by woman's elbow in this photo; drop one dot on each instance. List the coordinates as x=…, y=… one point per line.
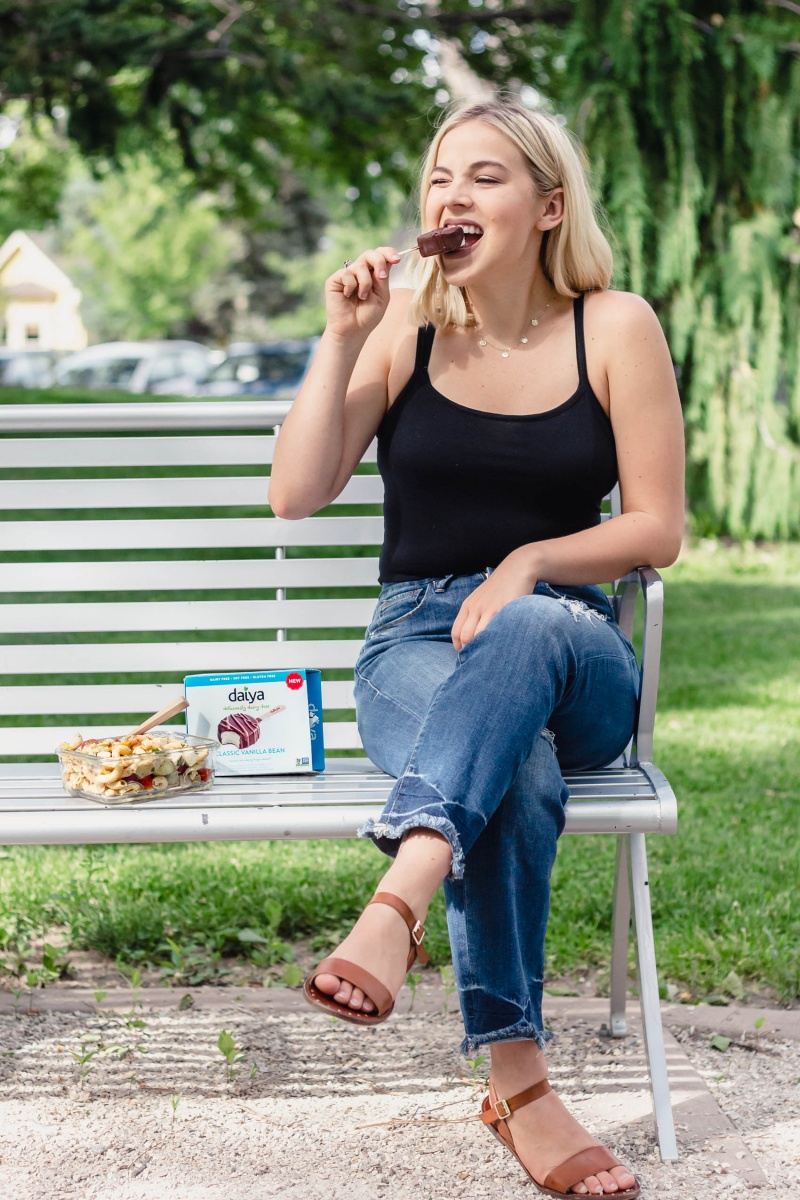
x=53, y=495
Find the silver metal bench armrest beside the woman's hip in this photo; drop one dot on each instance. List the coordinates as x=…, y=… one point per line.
x=649, y=583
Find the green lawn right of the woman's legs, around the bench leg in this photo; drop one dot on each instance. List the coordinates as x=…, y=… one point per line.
x=725, y=887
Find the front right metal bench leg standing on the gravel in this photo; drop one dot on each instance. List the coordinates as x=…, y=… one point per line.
x=654, y=1039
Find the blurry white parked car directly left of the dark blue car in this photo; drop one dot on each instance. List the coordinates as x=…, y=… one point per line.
x=161, y=368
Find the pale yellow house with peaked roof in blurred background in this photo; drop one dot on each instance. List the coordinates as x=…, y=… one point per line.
x=40, y=307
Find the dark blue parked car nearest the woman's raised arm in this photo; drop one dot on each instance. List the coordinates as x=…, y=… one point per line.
x=261, y=369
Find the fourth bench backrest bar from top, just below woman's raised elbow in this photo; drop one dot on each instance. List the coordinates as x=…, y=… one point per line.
x=190, y=535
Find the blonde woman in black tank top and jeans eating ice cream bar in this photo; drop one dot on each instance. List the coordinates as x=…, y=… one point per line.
x=508, y=393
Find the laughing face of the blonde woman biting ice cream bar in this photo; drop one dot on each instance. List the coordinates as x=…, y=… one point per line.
x=482, y=182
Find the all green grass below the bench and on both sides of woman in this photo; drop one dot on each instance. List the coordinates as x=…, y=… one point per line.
x=724, y=890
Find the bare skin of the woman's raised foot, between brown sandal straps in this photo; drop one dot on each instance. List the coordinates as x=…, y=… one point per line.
x=378, y=943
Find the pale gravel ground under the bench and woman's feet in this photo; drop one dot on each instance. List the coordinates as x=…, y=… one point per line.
x=321, y=1111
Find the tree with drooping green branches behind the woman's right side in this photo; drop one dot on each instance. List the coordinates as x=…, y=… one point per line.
x=691, y=115
